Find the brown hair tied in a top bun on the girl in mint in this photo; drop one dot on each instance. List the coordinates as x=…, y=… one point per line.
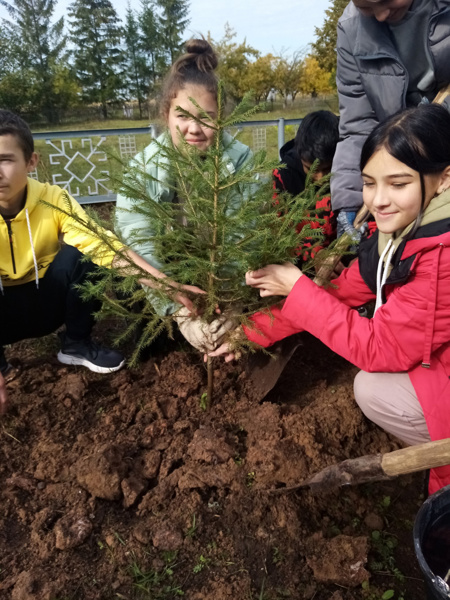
x=196, y=67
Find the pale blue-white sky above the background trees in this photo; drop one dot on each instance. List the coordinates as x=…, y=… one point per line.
x=268, y=25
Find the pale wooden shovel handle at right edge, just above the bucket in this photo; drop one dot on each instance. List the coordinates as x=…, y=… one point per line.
x=417, y=458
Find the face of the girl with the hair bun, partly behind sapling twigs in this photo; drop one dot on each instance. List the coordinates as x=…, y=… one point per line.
x=193, y=132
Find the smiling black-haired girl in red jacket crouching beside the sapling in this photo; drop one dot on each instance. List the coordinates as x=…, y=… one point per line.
x=404, y=350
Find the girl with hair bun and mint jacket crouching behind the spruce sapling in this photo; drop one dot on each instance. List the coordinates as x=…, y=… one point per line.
x=191, y=76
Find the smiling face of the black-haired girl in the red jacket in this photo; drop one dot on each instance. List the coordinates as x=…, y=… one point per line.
x=392, y=191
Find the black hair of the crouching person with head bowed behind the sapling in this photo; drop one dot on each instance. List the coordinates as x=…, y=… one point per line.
x=317, y=137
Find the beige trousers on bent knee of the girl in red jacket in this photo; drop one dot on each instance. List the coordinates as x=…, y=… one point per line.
x=389, y=400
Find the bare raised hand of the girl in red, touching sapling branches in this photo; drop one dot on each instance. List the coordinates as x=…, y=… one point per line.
x=274, y=280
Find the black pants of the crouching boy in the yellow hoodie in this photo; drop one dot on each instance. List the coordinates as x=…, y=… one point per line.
x=28, y=312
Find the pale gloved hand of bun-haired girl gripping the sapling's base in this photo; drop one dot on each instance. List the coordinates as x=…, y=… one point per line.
x=203, y=336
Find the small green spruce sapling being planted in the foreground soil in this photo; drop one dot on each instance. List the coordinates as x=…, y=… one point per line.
x=222, y=225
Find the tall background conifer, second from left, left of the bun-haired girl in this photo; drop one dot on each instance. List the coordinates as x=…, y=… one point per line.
x=96, y=34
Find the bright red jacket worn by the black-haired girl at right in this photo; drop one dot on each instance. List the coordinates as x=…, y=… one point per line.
x=408, y=333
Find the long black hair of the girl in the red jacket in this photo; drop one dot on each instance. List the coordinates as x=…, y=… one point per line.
x=418, y=137
